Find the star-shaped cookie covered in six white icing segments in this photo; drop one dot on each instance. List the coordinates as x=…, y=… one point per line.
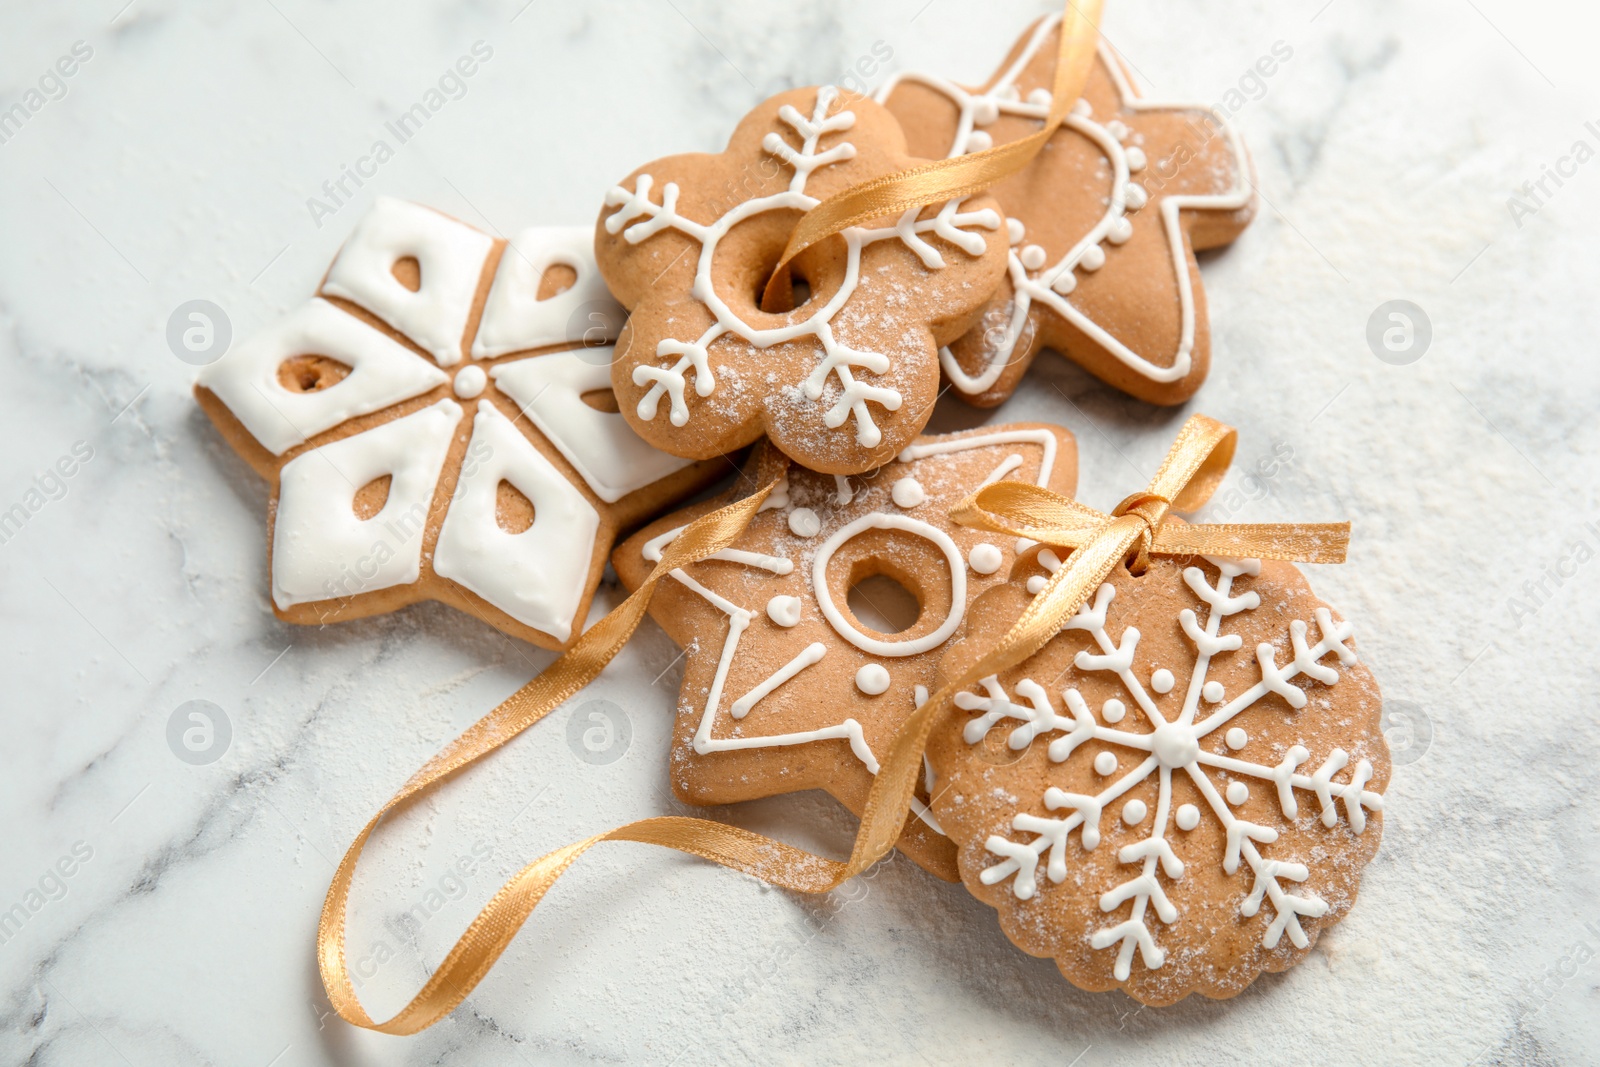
x=438, y=425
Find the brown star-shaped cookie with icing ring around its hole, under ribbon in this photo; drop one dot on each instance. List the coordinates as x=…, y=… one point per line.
x=818, y=633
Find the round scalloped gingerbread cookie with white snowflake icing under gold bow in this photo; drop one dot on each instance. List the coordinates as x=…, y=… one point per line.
x=1193, y=781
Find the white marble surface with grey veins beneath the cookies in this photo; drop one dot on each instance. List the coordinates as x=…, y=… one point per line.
x=178, y=167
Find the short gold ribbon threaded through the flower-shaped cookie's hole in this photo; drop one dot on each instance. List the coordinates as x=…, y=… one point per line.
x=948, y=180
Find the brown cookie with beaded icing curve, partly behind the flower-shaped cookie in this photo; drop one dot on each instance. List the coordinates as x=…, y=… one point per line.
x=1103, y=225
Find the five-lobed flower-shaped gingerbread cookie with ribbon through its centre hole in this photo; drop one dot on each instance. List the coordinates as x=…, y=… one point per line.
x=847, y=378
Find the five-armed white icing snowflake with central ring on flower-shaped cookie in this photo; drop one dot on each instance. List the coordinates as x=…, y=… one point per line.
x=644, y=218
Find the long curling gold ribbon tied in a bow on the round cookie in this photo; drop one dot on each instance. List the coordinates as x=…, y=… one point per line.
x=1135, y=530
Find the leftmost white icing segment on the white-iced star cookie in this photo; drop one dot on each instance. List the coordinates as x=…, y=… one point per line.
x=383, y=372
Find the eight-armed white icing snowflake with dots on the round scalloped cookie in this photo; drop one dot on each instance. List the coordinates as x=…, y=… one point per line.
x=1174, y=748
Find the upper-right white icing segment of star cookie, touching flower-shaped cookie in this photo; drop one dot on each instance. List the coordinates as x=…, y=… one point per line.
x=516, y=319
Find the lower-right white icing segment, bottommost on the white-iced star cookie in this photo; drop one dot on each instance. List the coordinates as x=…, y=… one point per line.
x=537, y=577
